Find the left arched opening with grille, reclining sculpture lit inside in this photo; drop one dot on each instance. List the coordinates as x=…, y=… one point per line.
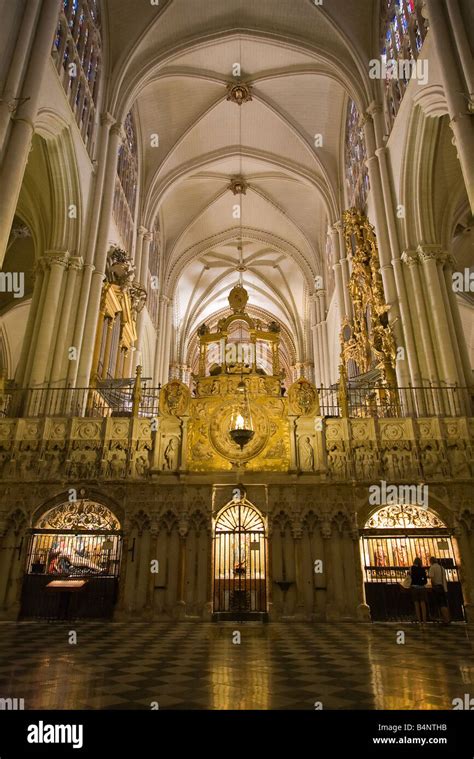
x=73, y=563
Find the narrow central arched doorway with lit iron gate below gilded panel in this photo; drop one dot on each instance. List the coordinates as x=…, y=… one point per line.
x=239, y=562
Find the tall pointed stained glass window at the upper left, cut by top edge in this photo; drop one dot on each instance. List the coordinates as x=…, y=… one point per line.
x=77, y=54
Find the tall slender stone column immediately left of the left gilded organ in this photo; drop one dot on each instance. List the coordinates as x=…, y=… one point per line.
x=90, y=326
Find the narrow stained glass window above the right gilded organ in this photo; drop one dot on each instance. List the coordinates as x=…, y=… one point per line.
x=357, y=177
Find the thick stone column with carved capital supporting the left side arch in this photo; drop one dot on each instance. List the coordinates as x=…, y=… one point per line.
x=57, y=263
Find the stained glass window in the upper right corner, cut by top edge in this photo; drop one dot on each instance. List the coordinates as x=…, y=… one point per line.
x=403, y=30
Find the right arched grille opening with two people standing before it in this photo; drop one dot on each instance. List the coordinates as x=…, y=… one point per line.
x=393, y=536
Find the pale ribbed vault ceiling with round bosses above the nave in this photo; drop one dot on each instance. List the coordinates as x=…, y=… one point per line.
x=179, y=64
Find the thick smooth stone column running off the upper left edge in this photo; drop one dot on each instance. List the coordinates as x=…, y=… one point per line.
x=17, y=149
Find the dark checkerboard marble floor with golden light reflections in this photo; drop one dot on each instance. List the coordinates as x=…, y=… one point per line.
x=198, y=666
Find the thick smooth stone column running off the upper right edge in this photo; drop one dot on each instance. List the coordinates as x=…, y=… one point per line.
x=454, y=89
